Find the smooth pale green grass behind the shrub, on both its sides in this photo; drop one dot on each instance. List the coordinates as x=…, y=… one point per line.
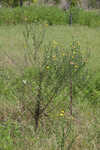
x=12, y=40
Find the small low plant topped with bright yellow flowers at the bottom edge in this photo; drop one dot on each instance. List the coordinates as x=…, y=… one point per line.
x=63, y=134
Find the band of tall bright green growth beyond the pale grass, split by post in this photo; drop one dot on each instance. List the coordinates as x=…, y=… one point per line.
x=52, y=15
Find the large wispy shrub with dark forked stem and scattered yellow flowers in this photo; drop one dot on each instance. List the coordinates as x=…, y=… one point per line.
x=48, y=72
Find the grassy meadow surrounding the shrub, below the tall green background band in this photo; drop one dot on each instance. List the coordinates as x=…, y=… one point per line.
x=57, y=129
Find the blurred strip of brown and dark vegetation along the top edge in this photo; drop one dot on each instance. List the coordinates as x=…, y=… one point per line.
x=83, y=3
